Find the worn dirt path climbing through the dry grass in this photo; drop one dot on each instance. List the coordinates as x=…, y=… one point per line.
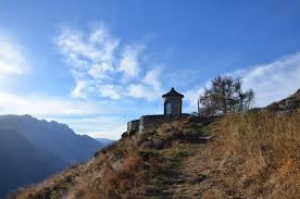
x=196, y=174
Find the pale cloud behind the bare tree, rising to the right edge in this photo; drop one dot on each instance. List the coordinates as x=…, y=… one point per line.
x=270, y=82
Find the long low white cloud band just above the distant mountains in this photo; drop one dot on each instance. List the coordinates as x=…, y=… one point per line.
x=85, y=117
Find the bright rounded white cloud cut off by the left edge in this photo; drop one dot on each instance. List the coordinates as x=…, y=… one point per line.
x=12, y=58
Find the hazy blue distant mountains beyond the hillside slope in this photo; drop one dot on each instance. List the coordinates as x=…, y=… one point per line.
x=32, y=149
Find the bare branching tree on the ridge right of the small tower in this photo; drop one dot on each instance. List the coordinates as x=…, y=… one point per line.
x=225, y=95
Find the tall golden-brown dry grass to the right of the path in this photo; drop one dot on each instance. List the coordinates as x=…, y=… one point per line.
x=262, y=154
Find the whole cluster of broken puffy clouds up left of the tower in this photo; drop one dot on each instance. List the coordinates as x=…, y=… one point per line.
x=100, y=64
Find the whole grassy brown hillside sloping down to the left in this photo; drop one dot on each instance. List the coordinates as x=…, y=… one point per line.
x=253, y=155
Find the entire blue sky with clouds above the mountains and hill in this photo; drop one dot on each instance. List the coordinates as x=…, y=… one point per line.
x=94, y=65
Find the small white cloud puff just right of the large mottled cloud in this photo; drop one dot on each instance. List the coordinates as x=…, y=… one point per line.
x=129, y=64
